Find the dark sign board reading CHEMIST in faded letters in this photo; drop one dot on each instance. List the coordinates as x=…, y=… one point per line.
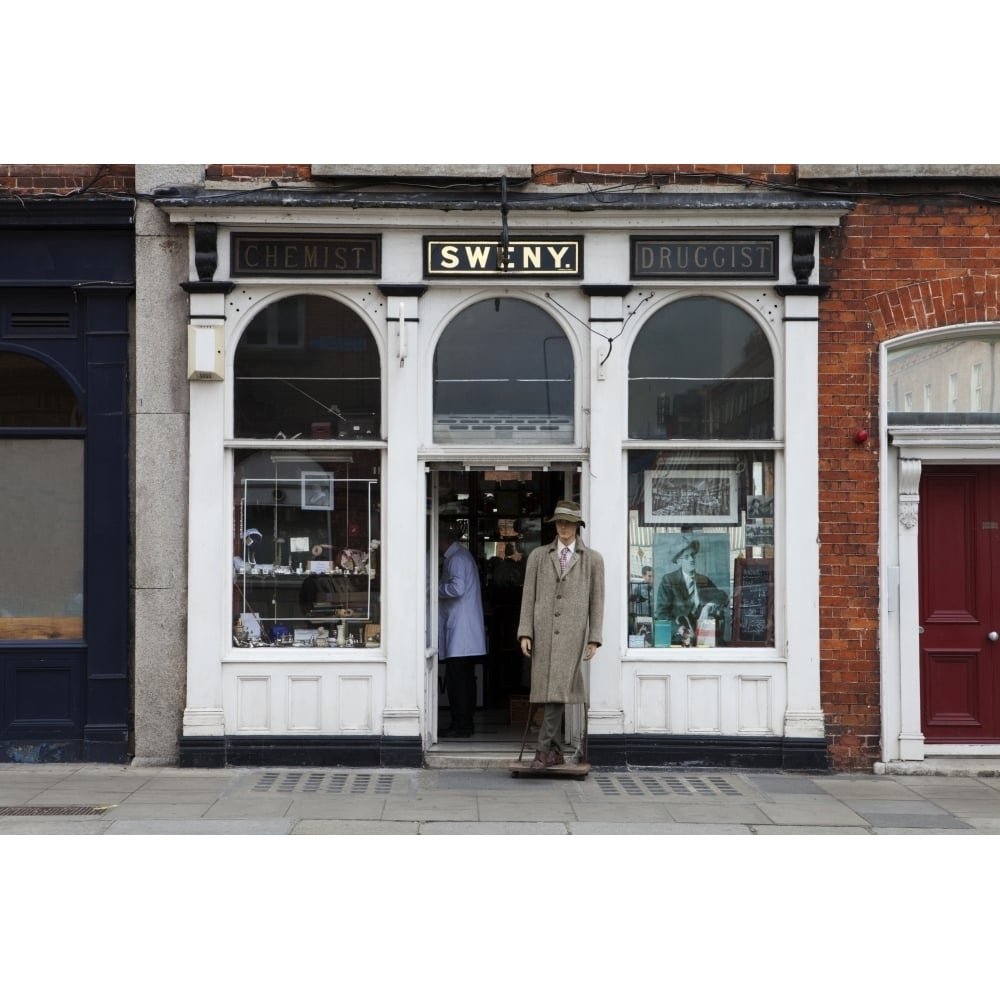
x=296, y=256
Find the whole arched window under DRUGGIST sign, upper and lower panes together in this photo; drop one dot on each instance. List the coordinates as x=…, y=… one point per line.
x=701, y=520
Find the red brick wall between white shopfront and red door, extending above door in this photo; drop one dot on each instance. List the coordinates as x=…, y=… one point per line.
x=894, y=267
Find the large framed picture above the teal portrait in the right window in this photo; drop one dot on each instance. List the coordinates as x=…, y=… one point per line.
x=691, y=496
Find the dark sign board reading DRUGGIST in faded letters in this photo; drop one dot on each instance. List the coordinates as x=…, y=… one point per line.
x=693, y=257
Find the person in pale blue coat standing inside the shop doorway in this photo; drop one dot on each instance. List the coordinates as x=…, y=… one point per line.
x=461, y=629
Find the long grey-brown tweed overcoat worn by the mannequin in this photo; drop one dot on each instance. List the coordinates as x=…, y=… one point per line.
x=560, y=615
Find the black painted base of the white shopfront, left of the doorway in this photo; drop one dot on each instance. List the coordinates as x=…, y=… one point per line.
x=297, y=751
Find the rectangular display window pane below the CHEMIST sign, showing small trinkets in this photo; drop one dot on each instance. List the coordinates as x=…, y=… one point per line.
x=306, y=540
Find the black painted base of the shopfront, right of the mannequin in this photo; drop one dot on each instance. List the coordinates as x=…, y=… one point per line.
x=655, y=750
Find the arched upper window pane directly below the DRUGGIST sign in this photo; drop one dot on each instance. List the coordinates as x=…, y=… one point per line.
x=701, y=368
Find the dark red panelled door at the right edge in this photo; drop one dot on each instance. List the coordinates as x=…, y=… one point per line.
x=959, y=539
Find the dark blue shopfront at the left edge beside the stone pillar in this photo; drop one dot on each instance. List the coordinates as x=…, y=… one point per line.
x=66, y=285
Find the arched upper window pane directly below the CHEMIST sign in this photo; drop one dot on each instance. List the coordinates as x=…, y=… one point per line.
x=307, y=366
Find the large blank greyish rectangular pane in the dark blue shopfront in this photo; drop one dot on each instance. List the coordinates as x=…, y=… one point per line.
x=41, y=545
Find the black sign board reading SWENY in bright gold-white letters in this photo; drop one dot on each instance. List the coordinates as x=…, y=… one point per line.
x=524, y=257
